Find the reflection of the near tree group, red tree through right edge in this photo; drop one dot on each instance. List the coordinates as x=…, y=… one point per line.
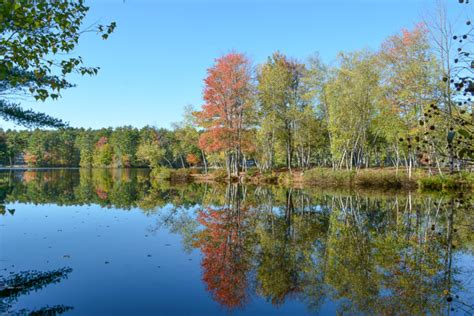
x=372, y=255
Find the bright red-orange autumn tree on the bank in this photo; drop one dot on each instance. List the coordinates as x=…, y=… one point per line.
x=226, y=114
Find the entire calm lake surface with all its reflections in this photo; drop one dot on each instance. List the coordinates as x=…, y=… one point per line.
x=113, y=242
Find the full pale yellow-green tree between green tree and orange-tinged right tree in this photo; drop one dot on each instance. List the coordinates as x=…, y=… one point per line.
x=352, y=94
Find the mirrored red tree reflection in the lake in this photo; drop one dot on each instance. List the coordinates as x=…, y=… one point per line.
x=224, y=264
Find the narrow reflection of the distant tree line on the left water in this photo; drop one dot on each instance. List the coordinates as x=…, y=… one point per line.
x=119, y=188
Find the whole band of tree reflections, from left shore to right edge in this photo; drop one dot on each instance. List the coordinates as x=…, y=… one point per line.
x=363, y=253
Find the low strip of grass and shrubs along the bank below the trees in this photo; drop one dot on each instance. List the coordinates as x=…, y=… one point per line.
x=381, y=179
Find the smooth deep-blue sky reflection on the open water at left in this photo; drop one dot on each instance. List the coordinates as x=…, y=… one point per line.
x=168, y=282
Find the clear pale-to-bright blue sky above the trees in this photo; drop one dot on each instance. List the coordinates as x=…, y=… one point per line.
x=155, y=62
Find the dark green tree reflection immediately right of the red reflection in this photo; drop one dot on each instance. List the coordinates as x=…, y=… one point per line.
x=288, y=231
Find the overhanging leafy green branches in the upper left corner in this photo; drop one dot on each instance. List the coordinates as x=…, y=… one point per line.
x=37, y=38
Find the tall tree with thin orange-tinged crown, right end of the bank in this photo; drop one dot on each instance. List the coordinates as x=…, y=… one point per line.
x=409, y=73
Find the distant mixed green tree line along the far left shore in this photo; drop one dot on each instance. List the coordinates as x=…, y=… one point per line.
x=122, y=147
